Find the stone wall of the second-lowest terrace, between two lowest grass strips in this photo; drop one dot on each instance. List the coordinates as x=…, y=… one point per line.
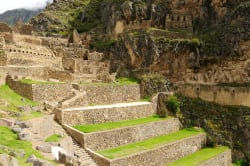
x=159, y=156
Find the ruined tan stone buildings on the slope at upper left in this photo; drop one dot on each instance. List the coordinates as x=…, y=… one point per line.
x=46, y=58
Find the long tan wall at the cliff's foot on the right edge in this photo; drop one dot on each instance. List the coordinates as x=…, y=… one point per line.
x=221, y=95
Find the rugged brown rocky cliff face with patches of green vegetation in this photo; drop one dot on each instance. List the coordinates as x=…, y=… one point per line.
x=190, y=41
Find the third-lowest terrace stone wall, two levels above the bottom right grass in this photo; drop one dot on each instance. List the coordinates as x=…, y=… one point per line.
x=117, y=137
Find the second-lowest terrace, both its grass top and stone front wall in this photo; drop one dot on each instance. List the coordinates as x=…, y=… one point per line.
x=139, y=154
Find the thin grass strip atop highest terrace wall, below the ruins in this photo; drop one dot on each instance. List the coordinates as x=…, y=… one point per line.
x=118, y=81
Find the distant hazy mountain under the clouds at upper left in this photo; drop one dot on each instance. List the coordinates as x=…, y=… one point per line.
x=12, y=16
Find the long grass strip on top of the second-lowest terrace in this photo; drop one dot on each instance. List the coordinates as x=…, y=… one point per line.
x=148, y=144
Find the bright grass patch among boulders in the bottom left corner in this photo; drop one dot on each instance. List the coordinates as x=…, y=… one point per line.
x=8, y=138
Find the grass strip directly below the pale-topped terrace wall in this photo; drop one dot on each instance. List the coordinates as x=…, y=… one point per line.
x=112, y=125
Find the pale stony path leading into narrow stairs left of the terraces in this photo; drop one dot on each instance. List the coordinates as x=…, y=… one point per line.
x=41, y=128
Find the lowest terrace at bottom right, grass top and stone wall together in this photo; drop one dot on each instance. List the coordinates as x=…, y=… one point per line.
x=218, y=156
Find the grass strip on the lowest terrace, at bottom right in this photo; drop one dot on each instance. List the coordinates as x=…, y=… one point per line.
x=199, y=157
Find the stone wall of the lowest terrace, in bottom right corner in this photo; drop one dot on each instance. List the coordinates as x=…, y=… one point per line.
x=224, y=159
